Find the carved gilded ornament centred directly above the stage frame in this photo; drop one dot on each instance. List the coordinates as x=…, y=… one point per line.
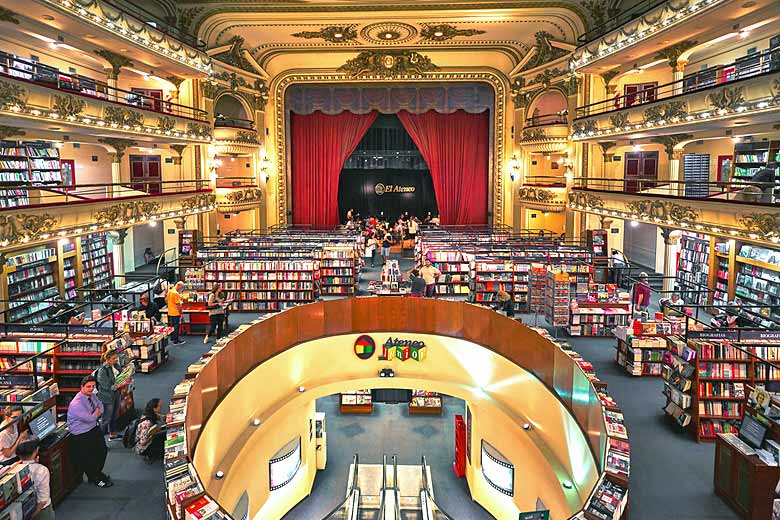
x=390, y=64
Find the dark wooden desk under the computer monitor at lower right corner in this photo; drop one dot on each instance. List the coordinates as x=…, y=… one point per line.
x=744, y=482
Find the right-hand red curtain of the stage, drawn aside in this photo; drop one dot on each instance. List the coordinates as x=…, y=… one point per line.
x=455, y=146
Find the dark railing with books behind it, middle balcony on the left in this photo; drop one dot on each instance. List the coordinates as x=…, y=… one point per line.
x=47, y=76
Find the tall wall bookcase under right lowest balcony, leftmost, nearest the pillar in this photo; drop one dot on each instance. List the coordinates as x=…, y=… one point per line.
x=693, y=267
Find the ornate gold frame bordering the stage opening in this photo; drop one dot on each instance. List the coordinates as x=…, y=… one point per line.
x=497, y=80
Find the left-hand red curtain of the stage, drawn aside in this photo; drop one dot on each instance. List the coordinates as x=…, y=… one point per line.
x=320, y=146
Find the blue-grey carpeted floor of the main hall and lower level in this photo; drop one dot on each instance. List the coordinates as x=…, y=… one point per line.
x=671, y=474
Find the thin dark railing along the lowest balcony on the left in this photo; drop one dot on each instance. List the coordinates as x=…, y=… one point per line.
x=91, y=193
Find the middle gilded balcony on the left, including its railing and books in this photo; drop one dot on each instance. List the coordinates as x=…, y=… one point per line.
x=37, y=96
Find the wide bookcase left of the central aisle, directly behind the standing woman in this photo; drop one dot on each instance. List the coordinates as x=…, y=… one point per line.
x=266, y=286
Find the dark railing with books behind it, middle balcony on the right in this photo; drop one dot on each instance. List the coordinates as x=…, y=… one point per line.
x=747, y=67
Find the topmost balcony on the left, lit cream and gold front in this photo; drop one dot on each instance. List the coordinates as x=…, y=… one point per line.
x=119, y=25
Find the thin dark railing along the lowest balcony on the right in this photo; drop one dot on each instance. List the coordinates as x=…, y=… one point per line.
x=738, y=191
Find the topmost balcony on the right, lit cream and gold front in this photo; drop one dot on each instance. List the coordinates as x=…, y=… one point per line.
x=652, y=26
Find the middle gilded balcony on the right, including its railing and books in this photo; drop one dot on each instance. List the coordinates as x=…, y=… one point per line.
x=742, y=92
